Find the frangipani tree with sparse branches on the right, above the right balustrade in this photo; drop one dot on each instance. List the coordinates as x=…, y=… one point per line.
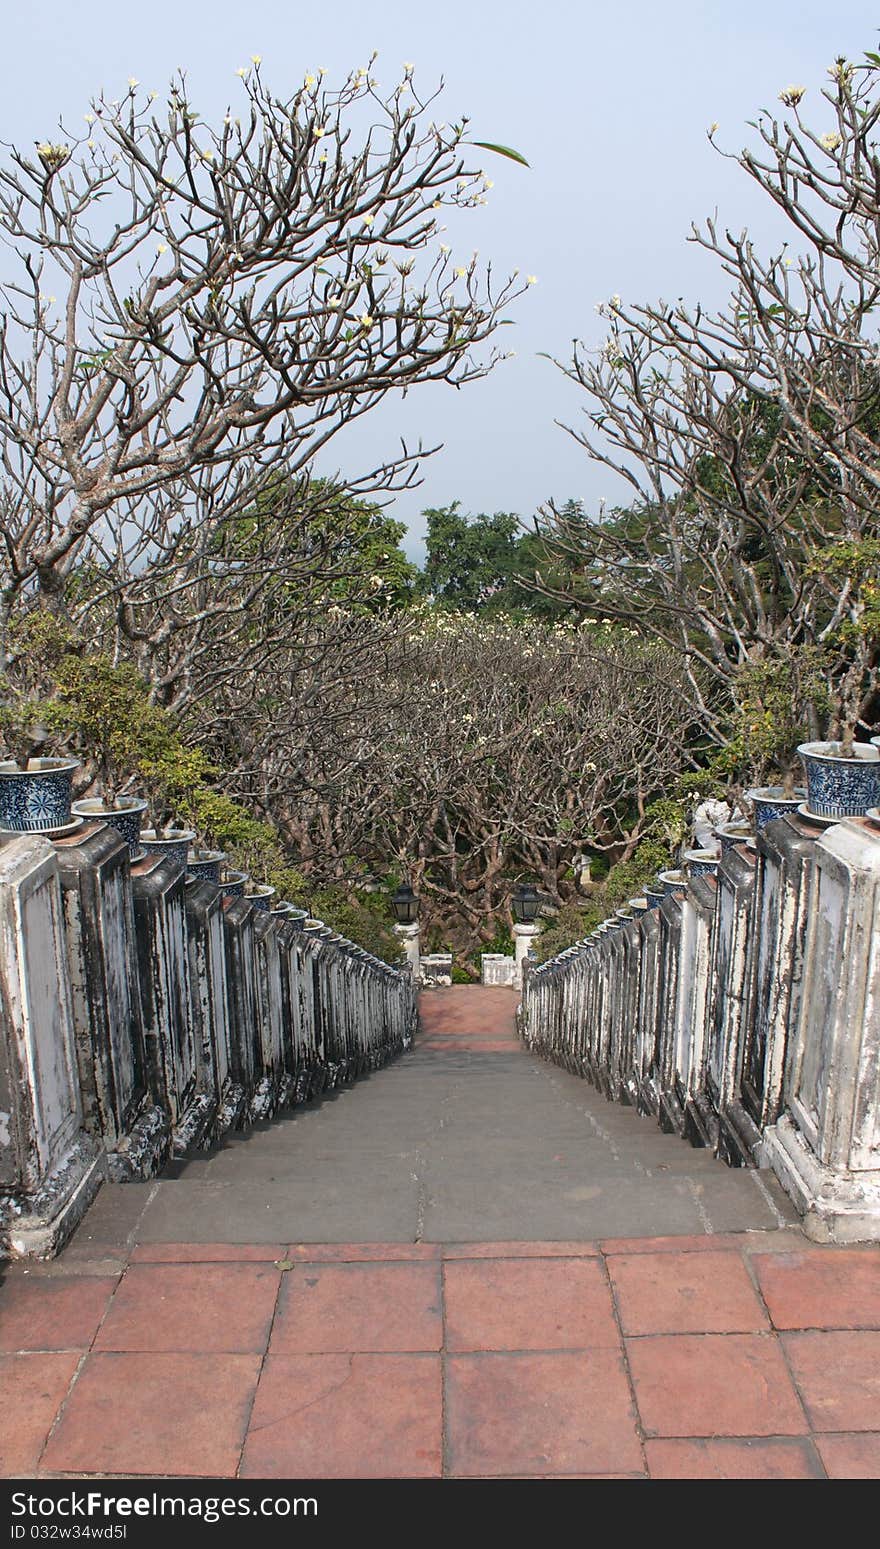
x=749, y=436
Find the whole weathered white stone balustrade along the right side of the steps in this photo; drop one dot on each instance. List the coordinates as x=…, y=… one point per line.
x=744, y=1015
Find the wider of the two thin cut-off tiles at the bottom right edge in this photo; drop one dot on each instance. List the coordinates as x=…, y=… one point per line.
x=735, y=1458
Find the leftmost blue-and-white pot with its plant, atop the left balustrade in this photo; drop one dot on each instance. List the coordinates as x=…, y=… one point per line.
x=36, y=786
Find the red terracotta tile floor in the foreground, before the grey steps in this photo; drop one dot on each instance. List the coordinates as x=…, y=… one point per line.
x=741, y=1356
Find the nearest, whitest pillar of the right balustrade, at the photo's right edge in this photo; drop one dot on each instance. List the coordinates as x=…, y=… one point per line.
x=827, y=1145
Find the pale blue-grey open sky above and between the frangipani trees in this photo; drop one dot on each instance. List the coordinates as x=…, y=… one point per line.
x=611, y=106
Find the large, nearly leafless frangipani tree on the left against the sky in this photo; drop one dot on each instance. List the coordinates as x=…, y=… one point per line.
x=188, y=304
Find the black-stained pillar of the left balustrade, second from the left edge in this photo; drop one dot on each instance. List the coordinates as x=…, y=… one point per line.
x=103, y=966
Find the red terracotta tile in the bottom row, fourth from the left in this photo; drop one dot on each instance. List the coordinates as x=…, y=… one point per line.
x=540, y=1415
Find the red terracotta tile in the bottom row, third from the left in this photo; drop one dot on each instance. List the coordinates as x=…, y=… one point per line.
x=346, y=1417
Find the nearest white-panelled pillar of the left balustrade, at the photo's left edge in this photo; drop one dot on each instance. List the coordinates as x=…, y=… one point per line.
x=50, y=1167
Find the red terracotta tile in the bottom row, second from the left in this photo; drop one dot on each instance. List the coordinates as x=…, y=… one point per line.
x=156, y=1415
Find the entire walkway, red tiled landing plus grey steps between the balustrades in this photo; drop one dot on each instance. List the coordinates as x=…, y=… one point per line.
x=469, y=1265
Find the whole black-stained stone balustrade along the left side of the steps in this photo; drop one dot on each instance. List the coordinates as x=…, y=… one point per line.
x=143, y=1015
